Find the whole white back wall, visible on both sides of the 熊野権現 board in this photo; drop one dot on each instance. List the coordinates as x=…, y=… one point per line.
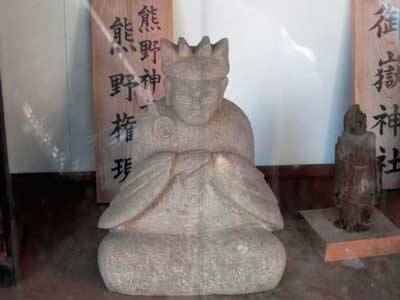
x=290, y=72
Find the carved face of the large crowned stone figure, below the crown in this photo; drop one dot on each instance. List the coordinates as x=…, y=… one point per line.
x=195, y=101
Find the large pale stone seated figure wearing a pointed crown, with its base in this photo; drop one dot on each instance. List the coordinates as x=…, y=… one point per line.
x=195, y=216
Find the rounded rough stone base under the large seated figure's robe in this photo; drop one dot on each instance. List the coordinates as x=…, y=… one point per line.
x=238, y=261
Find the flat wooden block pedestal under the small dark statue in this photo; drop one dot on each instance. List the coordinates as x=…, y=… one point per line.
x=334, y=244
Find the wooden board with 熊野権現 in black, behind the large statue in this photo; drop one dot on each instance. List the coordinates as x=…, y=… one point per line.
x=126, y=77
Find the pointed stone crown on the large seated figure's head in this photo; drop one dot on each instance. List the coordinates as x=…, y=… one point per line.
x=204, y=61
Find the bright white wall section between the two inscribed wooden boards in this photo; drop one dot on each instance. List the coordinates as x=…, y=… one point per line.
x=290, y=69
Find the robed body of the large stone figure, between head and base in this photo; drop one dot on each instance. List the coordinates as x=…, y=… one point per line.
x=192, y=179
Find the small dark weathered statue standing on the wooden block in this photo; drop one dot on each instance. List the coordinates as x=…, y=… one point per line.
x=357, y=173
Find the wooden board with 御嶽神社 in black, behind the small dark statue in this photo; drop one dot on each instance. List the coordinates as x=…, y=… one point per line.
x=376, y=59
